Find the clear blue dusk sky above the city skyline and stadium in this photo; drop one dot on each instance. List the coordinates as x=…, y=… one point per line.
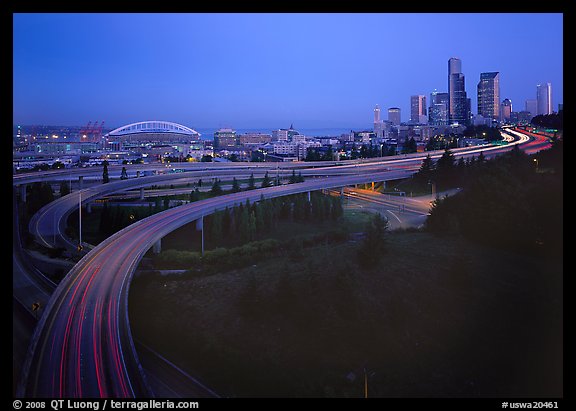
x=268, y=70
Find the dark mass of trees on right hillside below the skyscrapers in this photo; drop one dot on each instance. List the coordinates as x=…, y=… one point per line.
x=508, y=201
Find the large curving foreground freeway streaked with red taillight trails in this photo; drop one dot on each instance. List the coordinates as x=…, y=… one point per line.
x=82, y=346
